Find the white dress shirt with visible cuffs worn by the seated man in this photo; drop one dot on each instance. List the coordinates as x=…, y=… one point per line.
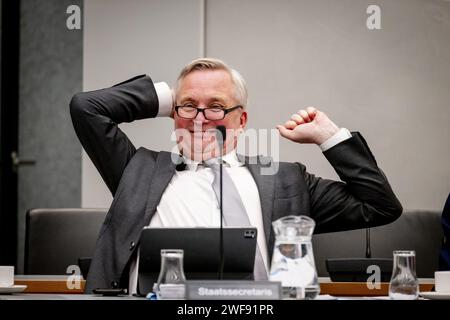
x=189, y=199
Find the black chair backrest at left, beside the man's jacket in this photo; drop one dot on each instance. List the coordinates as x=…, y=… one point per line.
x=57, y=238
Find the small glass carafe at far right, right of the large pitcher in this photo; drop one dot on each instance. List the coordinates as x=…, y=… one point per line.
x=404, y=284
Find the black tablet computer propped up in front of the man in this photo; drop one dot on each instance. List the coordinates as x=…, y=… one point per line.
x=201, y=253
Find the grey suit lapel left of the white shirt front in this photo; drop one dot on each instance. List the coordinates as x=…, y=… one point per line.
x=162, y=174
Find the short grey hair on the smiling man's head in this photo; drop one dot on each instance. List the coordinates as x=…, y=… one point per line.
x=203, y=64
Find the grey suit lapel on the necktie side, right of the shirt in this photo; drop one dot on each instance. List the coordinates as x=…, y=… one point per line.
x=266, y=188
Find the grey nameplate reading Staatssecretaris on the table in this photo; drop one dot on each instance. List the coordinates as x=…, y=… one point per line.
x=233, y=290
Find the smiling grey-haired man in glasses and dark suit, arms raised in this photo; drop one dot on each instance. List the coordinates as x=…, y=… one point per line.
x=152, y=188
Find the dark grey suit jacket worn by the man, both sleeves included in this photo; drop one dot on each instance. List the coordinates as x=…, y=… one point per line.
x=137, y=179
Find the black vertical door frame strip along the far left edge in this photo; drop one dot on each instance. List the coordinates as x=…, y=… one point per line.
x=9, y=116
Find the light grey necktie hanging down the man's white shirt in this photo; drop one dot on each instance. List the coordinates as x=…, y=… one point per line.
x=234, y=213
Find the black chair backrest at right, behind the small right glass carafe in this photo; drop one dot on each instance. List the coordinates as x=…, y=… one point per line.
x=414, y=230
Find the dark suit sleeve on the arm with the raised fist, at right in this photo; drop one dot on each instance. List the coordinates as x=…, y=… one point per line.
x=363, y=199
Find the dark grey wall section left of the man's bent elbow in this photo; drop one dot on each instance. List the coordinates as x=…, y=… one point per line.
x=50, y=73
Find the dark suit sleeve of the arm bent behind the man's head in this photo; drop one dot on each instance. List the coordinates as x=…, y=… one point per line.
x=96, y=116
